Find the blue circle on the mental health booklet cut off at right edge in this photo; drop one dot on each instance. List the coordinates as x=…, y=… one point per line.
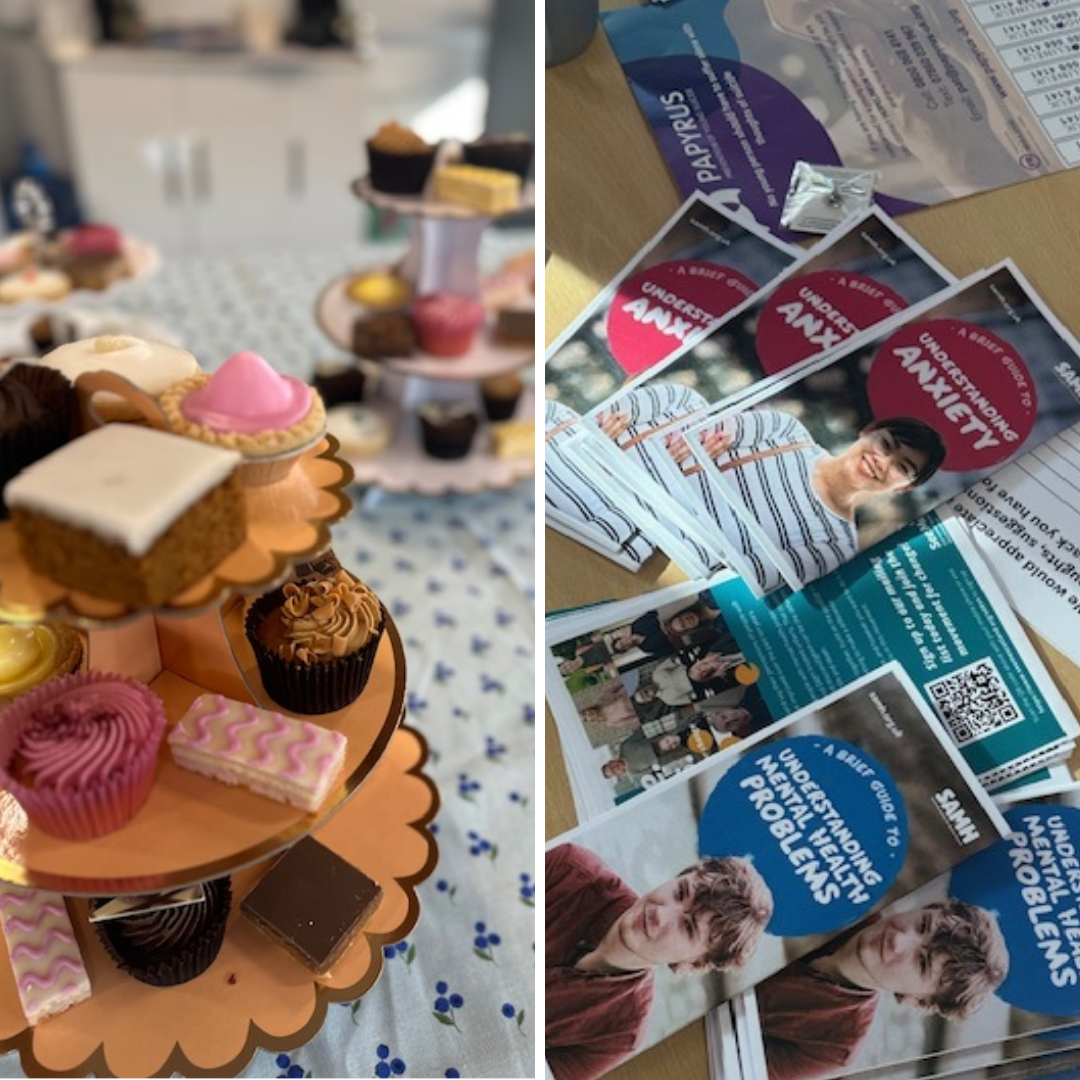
x=1032, y=883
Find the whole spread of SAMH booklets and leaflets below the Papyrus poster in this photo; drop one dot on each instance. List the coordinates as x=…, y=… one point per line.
x=831, y=699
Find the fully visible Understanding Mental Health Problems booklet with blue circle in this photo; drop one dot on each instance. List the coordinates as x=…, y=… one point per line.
x=660, y=910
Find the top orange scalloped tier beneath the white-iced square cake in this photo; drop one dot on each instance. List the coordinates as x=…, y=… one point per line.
x=287, y=522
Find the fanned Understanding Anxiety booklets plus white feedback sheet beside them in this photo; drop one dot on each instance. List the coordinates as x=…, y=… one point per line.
x=856, y=390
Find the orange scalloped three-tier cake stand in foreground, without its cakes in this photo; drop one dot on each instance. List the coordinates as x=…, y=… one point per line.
x=194, y=829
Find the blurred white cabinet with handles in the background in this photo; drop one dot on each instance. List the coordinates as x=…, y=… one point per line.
x=209, y=157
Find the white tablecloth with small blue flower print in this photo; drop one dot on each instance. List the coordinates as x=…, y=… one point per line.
x=457, y=574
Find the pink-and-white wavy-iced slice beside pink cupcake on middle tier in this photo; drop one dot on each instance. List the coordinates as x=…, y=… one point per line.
x=278, y=757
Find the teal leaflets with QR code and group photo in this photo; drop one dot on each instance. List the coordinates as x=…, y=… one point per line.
x=622, y=688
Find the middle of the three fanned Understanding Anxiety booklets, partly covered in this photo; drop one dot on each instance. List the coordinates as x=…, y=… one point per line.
x=865, y=273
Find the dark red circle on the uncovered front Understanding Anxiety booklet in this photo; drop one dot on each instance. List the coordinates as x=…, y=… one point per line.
x=966, y=383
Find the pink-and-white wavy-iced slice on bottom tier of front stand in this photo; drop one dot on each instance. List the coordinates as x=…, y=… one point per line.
x=45, y=955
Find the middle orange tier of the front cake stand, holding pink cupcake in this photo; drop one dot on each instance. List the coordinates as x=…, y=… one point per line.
x=194, y=828
